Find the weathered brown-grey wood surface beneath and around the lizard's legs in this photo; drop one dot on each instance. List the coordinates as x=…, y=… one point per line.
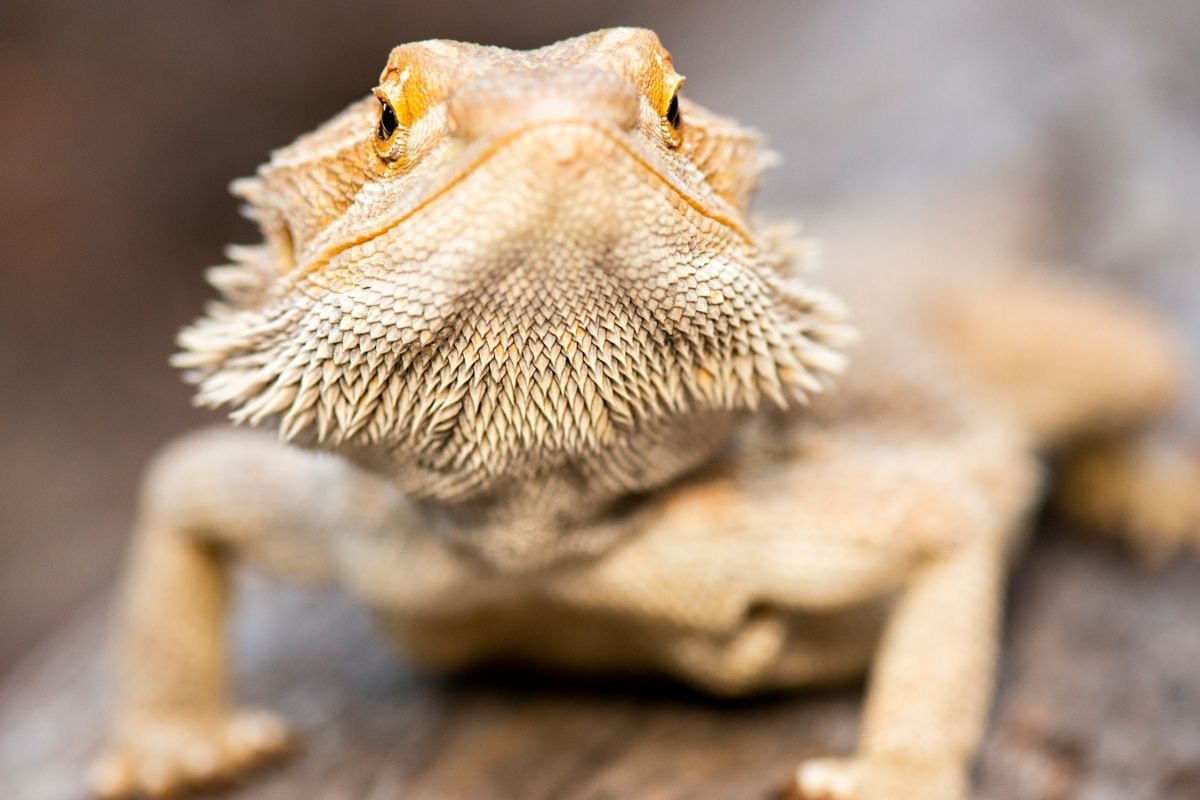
x=1100, y=701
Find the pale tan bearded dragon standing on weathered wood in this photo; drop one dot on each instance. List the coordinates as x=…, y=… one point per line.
x=517, y=365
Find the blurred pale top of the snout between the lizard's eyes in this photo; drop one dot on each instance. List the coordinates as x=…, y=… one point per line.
x=496, y=105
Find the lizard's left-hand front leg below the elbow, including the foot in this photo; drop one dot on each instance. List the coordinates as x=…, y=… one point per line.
x=176, y=725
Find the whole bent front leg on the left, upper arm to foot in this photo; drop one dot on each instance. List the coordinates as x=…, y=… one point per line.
x=212, y=498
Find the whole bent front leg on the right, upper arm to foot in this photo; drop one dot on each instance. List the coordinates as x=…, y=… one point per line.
x=929, y=526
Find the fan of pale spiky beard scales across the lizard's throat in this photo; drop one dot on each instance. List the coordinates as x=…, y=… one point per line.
x=620, y=371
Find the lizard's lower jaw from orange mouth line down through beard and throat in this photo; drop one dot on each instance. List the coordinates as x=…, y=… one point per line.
x=554, y=297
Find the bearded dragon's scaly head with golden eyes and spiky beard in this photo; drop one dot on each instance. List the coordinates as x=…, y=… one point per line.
x=505, y=264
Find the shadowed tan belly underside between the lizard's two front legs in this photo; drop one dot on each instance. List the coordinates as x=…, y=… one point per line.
x=447, y=613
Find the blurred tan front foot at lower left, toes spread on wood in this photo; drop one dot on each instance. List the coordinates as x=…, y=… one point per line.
x=164, y=757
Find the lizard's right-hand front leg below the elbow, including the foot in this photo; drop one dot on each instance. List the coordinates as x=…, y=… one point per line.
x=931, y=687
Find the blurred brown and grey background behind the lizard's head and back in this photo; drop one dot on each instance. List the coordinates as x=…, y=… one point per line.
x=122, y=124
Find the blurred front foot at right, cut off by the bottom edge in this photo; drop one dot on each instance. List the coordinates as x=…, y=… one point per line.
x=855, y=779
